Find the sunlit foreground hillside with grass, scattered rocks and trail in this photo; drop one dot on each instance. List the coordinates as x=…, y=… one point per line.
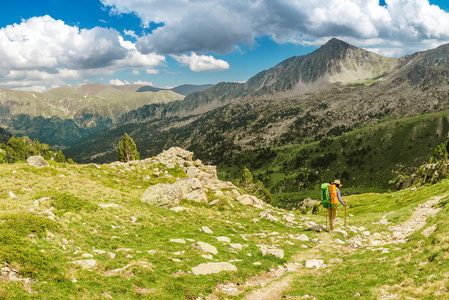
x=81, y=231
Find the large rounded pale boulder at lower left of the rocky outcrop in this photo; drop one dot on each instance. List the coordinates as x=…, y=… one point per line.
x=162, y=195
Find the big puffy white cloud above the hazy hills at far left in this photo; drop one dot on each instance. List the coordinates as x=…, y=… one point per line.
x=42, y=51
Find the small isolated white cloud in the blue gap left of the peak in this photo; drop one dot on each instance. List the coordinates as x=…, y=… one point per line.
x=201, y=63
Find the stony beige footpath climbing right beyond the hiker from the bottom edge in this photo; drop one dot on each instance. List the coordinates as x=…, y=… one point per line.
x=273, y=286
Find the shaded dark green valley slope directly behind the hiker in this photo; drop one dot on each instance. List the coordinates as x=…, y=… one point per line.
x=366, y=159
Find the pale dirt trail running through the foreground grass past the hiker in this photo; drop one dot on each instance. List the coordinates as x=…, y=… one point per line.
x=274, y=283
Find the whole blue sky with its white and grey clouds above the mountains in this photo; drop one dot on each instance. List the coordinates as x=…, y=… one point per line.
x=49, y=43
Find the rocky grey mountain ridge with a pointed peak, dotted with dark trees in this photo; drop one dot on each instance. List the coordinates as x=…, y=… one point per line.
x=305, y=98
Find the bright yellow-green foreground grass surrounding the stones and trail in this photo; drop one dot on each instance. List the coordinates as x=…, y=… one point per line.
x=82, y=226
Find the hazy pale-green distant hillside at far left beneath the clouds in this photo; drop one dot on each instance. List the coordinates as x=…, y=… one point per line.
x=66, y=115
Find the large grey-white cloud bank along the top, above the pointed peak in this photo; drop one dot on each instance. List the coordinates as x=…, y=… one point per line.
x=218, y=26
